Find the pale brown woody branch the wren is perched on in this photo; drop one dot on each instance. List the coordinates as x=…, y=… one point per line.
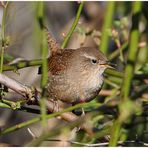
x=32, y=96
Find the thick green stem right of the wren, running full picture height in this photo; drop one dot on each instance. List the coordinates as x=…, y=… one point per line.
x=128, y=75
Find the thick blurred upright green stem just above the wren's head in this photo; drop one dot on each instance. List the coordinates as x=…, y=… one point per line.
x=107, y=25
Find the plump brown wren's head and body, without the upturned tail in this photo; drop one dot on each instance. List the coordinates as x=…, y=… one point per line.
x=76, y=75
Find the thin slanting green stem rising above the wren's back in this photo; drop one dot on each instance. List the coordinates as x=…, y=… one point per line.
x=67, y=38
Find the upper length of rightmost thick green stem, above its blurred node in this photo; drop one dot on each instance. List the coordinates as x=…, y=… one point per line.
x=133, y=51
